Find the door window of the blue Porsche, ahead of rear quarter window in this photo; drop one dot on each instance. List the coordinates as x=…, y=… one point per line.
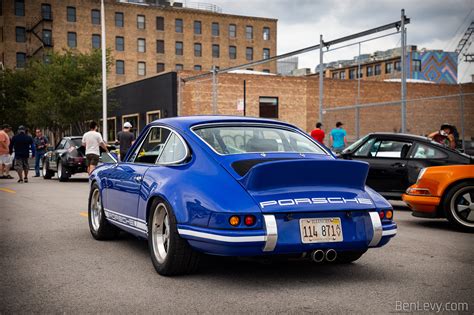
x=151, y=147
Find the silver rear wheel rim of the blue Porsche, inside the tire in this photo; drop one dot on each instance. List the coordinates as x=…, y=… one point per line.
x=160, y=229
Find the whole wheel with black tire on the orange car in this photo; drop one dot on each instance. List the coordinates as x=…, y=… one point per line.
x=461, y=218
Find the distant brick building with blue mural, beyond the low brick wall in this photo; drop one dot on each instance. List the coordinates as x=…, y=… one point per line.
x=428, y=65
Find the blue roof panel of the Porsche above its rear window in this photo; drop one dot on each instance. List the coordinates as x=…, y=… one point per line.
x=186, y=122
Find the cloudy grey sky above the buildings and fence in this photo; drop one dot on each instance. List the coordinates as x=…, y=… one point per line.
x=435, y=24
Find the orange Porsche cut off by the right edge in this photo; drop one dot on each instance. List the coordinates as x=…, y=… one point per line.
x=444, y=192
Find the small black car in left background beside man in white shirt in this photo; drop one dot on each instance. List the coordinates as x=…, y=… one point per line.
x=66, y=159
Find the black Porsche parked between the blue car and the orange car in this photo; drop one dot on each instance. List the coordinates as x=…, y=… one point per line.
x=396, y=159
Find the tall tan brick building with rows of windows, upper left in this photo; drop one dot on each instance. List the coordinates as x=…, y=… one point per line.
x=144, y=37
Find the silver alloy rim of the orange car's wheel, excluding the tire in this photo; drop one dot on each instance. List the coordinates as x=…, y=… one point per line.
x=462, y=206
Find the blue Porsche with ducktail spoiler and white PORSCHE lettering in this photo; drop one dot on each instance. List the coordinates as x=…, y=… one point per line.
x=237, y=186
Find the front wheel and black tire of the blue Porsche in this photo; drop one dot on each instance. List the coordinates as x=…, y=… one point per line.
x=100, y=229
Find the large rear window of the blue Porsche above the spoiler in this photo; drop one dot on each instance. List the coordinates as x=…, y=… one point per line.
x=246, y=139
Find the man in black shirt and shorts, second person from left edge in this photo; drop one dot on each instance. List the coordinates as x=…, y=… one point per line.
x=21, y=145
